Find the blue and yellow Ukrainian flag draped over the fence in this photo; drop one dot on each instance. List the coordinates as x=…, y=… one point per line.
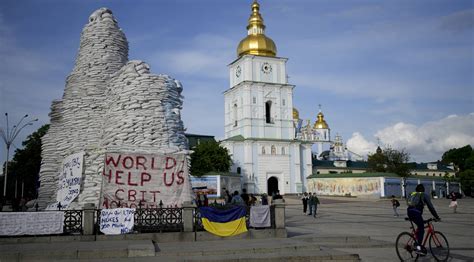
x=224, y=223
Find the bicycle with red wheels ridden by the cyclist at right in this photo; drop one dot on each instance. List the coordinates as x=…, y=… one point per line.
x=405, y=244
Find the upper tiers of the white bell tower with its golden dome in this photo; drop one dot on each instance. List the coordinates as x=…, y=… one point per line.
x=259, y=101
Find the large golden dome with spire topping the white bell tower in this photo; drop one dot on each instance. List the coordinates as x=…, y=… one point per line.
x=256, y=43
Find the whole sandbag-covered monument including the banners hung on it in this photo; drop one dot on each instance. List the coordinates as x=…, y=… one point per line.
x=116, y=138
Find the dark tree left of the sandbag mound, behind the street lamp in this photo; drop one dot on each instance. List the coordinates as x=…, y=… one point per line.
x=26, y=163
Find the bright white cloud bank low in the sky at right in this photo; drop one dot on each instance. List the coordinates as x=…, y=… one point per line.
x=426, y=142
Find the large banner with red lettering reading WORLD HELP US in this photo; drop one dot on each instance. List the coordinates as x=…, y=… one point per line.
x=136, y=180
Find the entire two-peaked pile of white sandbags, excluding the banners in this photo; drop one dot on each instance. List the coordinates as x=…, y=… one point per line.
x=108, y=105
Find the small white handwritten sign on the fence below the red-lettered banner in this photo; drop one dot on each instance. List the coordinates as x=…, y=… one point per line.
x=117, y=221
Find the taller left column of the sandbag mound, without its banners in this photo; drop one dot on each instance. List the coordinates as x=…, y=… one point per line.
x=76, y=119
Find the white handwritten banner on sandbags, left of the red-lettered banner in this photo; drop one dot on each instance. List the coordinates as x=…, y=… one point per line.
x=70, y=180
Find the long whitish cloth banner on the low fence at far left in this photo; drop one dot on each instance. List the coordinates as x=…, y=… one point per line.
x=31, y=223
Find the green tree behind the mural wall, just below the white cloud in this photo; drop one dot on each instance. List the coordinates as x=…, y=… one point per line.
x=391, y=161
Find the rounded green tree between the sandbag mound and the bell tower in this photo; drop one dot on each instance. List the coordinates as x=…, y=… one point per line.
x=209, y=156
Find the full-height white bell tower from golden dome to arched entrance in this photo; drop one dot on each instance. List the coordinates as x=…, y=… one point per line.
x=262, y=129
